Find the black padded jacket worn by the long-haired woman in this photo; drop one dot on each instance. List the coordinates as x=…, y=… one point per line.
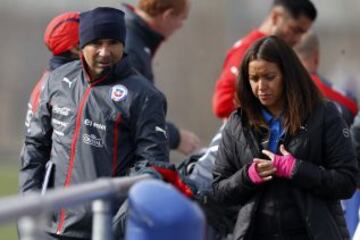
x=325, y=172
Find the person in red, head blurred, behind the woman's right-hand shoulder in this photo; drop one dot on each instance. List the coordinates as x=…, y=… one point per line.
x=308, y=51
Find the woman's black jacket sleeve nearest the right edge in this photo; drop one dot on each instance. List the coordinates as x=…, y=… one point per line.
x=336, y=177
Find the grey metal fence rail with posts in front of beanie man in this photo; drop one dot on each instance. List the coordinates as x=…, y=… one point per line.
x=31, y=207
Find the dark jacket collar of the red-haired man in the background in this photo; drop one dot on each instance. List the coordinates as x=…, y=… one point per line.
x=137, y=25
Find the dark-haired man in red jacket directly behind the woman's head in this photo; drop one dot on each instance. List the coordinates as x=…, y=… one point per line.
x=287, y=19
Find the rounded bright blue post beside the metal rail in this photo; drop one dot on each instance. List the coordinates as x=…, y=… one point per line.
x=158, y=211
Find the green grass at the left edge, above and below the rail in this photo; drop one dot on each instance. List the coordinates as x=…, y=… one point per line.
x=8, y=186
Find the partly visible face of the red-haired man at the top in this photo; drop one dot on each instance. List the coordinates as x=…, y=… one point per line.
x=175, y=21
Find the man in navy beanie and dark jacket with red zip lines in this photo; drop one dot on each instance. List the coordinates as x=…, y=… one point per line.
x=96, y=118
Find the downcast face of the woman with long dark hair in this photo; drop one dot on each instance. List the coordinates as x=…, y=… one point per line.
x=267, y=84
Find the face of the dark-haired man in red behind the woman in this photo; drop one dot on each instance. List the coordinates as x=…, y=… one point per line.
x=291, y=29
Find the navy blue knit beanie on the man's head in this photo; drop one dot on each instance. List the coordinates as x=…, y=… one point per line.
x=102, y=23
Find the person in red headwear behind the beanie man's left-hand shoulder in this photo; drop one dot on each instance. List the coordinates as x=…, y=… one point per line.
x=61, y=37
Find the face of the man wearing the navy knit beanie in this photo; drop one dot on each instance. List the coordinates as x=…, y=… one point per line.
x=101, y=55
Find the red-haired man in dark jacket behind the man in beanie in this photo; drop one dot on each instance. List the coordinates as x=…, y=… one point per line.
x=148, y=25
